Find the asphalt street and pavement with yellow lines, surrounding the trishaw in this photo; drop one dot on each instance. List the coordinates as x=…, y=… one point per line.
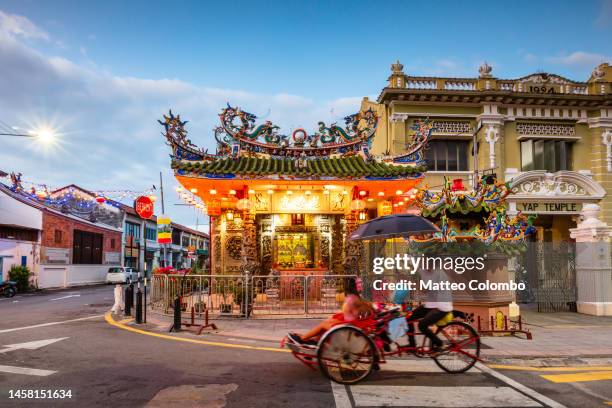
x=65, y=340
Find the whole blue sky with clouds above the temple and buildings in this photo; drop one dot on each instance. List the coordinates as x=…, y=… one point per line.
x=104, y=71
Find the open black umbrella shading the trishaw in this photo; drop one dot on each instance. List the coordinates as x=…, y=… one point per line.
x=393, y=226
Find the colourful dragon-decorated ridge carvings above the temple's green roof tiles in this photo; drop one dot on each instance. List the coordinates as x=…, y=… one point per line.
x=238, y=135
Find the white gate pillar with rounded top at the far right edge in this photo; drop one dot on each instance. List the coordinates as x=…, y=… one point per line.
x=593, y=263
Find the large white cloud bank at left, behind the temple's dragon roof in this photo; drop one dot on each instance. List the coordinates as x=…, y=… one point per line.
x=108, y=123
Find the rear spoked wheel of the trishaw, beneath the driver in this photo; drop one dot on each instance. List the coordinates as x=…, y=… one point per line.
x=461, y=347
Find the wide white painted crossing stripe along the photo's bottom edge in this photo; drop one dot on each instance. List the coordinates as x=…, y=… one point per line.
x=431, y=396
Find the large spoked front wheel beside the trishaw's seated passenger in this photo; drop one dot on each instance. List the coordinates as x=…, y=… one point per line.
x=346, y=355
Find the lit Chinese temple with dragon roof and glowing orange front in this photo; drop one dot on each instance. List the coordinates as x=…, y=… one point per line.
x=286, y=202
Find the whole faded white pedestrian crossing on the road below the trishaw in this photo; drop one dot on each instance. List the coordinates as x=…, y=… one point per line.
x=420, y=383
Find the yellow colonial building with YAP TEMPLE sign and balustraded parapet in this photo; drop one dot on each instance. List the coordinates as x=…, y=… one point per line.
x=550, y=136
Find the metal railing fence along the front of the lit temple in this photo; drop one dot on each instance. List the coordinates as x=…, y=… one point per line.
x=245, y=295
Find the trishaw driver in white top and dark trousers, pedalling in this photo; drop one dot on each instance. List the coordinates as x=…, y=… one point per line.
x=436, y=307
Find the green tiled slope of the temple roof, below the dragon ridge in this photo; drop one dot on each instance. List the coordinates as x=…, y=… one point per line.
x=352, y=166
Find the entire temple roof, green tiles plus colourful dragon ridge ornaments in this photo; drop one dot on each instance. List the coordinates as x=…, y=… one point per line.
x=332, y=152
